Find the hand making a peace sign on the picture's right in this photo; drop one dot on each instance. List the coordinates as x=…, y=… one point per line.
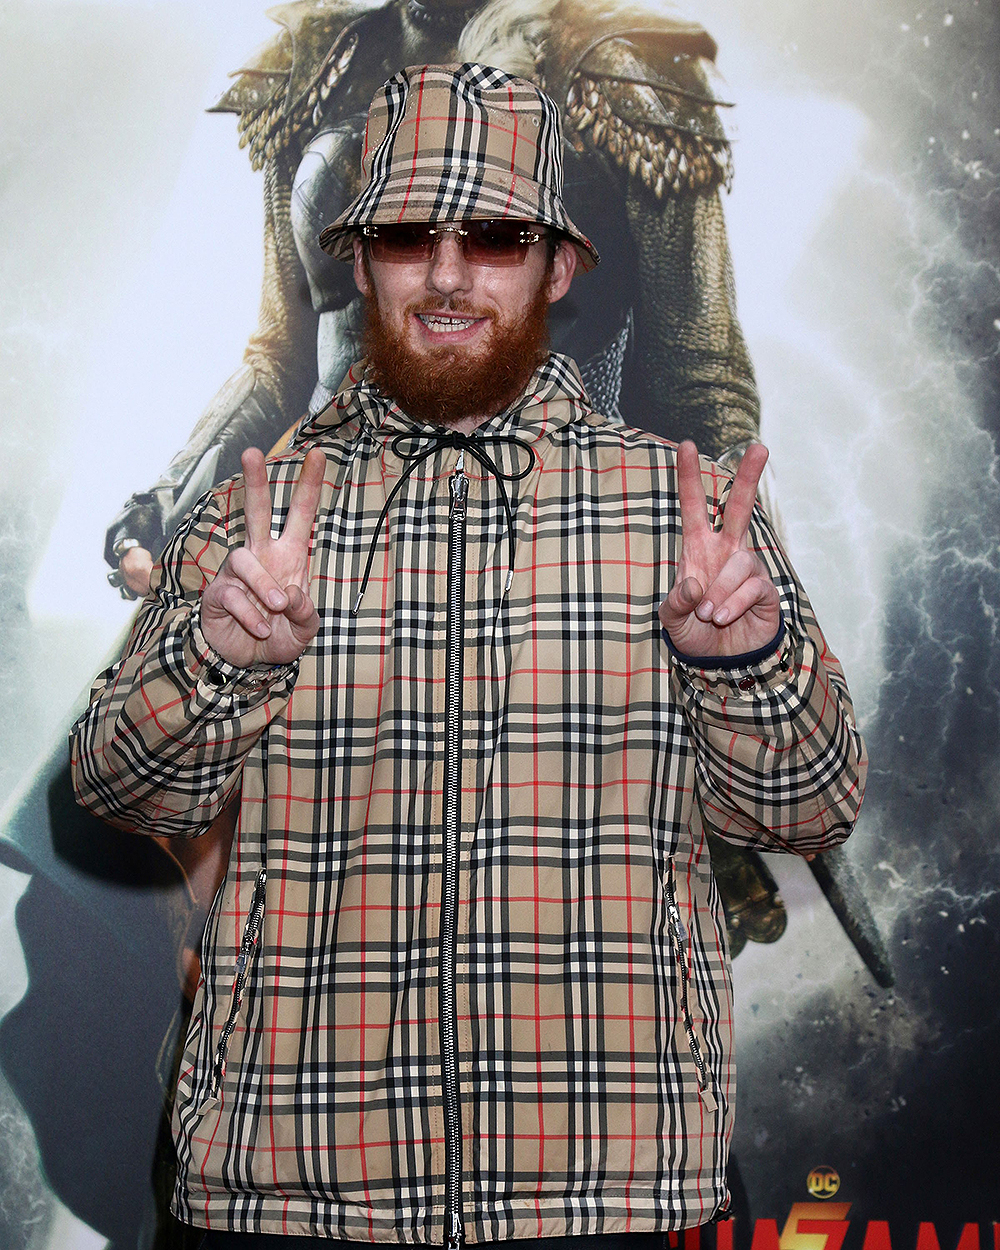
x=723, y=601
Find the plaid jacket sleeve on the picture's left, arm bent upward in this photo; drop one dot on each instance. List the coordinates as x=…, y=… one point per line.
x=162, y=746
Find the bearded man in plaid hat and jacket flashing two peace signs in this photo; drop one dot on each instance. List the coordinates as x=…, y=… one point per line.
x=468, y=977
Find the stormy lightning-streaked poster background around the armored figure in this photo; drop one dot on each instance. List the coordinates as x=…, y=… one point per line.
x=863, y=224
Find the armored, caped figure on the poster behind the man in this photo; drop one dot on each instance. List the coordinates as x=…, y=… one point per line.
x=654, y=329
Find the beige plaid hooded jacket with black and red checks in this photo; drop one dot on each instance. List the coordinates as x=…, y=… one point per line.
x=592, y=984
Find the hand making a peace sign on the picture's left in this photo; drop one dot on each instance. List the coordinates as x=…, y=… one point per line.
x=257, y=611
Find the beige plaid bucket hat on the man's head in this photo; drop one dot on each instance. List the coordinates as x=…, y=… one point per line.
x=447, y=143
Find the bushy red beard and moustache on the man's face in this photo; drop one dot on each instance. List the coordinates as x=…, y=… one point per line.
x=444, y=386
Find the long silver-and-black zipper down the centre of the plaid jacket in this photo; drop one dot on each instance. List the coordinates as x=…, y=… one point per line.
x=448, y=1004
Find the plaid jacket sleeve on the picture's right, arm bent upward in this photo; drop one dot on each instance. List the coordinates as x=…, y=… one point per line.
x=781, y=764
